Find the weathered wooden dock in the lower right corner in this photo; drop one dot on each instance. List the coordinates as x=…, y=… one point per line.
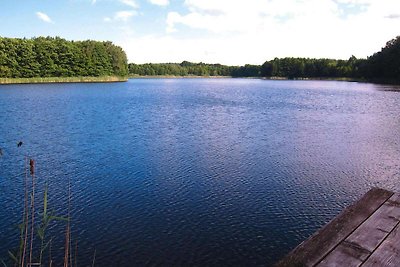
x=366, y=233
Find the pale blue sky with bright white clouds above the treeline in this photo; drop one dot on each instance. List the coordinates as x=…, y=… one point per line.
x=232, y=32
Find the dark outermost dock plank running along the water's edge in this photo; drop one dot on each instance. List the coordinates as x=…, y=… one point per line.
x=313, y=250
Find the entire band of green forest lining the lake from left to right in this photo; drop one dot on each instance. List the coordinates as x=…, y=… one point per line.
x=57, y=57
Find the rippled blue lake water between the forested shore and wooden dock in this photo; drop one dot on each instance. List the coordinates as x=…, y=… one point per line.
x=183, y=172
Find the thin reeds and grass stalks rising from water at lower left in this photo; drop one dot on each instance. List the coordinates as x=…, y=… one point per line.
x=33, y=239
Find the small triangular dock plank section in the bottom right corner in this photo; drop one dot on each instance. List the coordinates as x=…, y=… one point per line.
x=388, y=254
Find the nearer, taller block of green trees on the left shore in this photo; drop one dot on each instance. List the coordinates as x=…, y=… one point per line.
x=57, y=57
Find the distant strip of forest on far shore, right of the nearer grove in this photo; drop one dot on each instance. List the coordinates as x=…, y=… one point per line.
x=382, y=66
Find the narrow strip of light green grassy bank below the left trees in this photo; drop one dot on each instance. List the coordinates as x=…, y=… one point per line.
x=100, y=79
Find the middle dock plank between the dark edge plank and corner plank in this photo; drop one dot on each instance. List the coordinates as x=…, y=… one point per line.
x=356, y=248
